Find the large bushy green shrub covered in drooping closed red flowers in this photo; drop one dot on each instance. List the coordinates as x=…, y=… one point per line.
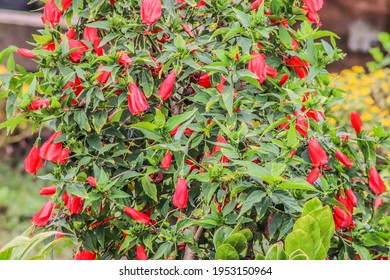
x=195, y=129
